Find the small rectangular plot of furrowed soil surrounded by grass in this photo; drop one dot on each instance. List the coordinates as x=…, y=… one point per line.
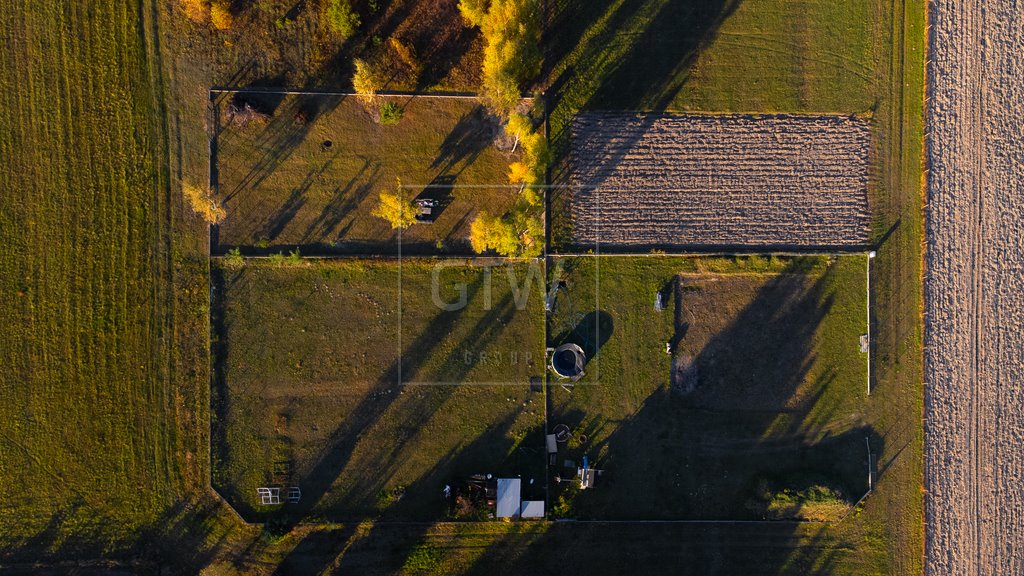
x=719, y=181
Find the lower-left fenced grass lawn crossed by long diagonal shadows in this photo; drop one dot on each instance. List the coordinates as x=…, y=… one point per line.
x=371, y=387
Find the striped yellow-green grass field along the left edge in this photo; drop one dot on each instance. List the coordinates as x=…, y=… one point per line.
x=89, y=445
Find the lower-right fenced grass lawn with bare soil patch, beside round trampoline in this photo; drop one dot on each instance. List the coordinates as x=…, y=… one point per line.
x=771, y=387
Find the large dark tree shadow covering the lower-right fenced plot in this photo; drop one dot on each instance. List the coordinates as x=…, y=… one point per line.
x=758, y=414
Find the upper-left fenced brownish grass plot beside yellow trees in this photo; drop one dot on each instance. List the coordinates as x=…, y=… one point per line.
x=316, y=184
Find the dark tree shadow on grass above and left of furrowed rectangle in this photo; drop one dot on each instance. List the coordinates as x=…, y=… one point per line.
x=608, y=56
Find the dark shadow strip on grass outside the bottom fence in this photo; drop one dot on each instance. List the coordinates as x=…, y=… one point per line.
x=700, y=550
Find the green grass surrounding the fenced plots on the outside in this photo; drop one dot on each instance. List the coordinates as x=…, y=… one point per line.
x=96, y=442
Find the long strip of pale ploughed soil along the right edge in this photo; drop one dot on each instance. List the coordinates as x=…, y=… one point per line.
x=974, y=346
